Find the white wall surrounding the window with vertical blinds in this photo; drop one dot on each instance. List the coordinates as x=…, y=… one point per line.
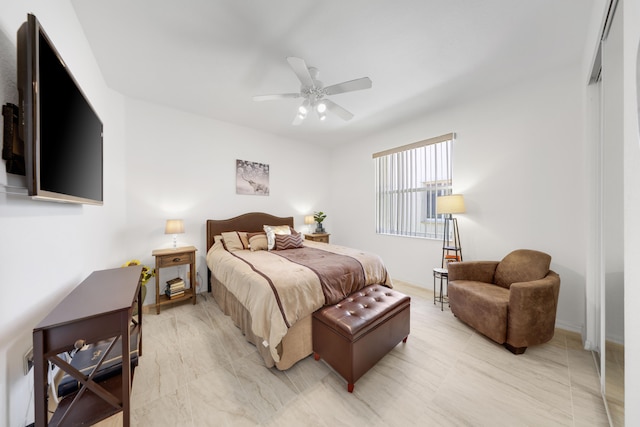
x=518, y=160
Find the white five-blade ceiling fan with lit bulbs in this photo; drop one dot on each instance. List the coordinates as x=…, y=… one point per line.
x=314, y=92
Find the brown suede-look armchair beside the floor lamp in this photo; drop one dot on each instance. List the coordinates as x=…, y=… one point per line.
x=513, y=301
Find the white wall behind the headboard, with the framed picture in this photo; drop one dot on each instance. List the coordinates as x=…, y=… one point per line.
x=180, y=165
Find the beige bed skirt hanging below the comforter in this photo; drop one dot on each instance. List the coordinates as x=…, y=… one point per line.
x=295, y=346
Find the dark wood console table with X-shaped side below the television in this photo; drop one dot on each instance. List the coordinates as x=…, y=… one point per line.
x=99, y=308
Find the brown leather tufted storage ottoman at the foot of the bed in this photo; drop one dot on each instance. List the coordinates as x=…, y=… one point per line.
x=354, y=334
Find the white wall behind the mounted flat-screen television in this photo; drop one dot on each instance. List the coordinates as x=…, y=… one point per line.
x=46, y=249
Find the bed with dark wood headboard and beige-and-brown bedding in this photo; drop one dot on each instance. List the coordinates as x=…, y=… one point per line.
x=271, y=294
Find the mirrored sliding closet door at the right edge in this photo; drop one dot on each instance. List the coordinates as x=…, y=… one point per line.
x=612, y=151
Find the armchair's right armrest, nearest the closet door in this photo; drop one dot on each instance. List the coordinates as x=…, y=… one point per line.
x=532, y=310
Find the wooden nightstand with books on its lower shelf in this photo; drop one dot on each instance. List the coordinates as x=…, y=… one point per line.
x=172, y=257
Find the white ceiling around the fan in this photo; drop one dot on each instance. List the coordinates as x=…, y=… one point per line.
x=210, y=57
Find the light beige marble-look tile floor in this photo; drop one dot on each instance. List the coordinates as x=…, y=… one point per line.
x=197, y=370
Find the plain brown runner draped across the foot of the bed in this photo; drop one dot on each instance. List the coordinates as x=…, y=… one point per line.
x=340, y=275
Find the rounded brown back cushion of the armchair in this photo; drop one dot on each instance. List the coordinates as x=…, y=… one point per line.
x=522, y=265
